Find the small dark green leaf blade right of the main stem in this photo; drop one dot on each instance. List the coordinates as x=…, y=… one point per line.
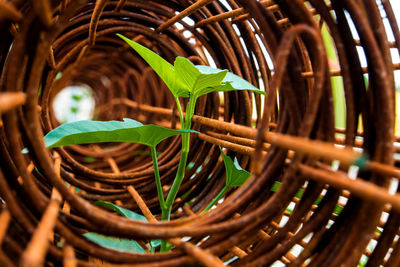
x=235, y=175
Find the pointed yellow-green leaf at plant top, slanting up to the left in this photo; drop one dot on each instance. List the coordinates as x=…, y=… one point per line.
x=163, y=69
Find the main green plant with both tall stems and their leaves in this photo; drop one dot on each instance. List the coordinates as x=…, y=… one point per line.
x=184, y=80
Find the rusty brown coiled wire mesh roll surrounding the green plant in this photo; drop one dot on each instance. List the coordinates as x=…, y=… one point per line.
x=288, y=137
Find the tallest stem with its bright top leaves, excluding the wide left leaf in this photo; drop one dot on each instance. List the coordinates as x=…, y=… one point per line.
x=184, y=79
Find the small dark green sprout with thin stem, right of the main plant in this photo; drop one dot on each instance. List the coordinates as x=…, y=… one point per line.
x=235, y=176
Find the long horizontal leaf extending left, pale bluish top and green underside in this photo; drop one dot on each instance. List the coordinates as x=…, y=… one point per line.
x=84, y=132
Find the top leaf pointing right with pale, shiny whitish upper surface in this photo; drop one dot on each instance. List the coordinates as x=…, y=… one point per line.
x=231, y=81
